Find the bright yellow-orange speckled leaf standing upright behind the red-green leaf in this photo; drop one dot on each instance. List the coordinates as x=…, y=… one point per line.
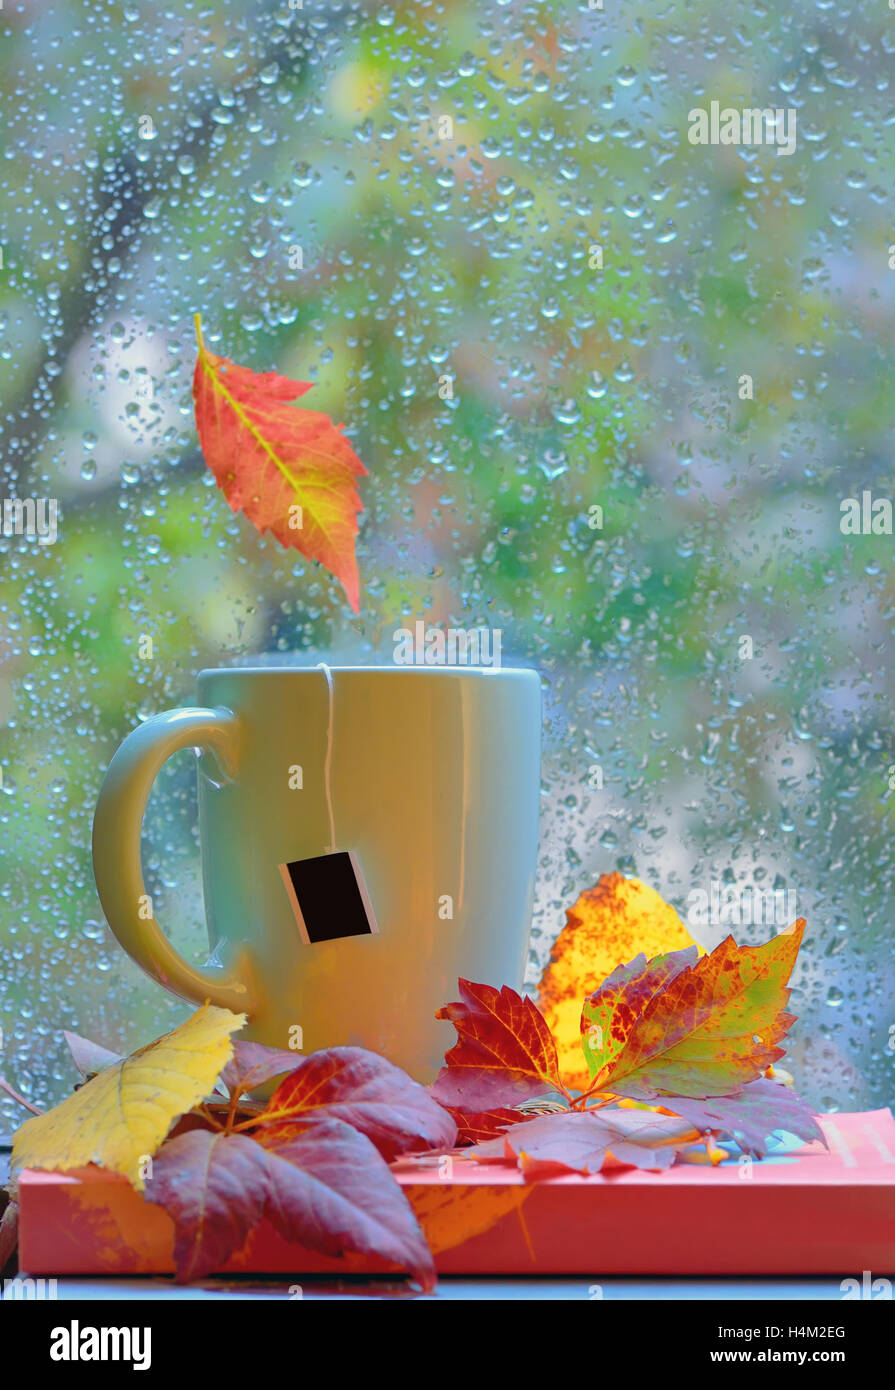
x=608, y=926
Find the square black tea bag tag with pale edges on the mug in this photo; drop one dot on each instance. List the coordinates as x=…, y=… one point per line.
x=330, y=897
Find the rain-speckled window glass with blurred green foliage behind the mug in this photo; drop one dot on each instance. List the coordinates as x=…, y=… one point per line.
x=605, y=297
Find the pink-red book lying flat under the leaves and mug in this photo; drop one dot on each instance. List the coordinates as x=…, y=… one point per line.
x=803, y=1211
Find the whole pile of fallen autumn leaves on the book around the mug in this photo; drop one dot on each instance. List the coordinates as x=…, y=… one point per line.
x=668, y=1054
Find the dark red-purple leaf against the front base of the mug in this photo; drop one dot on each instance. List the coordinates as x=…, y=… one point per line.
x=369, y=1093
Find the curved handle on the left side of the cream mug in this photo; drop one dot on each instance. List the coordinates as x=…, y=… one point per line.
x=117, y=854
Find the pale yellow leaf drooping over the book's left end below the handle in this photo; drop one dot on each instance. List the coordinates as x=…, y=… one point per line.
x=123, y=1115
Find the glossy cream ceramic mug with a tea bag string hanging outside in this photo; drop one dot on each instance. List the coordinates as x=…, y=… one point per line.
x=407, y=797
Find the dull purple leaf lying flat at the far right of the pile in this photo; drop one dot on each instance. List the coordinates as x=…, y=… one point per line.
x=762, y=1109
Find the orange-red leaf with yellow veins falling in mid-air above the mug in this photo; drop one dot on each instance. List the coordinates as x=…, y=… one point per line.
x=290, y=471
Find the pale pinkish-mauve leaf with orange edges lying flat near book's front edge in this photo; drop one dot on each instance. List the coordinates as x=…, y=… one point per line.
x=584, y=1142
